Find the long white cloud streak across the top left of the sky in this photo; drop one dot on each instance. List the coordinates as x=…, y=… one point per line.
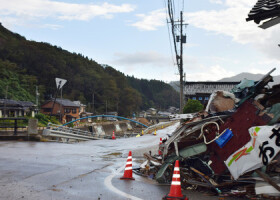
x=32, y=9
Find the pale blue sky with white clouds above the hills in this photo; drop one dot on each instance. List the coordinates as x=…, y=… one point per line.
x=132, y=36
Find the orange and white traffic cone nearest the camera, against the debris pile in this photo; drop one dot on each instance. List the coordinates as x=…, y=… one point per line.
x=175, y=189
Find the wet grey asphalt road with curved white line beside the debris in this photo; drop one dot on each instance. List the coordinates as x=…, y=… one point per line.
x=86, y=170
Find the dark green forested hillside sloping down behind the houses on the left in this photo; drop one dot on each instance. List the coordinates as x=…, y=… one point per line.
x=25, y=64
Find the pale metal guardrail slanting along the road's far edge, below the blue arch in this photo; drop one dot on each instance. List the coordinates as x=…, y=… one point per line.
x=54, y=130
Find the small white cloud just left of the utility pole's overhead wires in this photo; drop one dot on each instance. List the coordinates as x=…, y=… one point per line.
x=151, y=21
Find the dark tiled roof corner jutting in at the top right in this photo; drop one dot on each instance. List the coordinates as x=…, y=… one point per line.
x=264, y=9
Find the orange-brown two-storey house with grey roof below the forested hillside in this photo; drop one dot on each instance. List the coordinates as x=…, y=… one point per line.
x=64, y=109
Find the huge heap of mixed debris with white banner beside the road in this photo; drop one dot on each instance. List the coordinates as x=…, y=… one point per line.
x=230, y=149
